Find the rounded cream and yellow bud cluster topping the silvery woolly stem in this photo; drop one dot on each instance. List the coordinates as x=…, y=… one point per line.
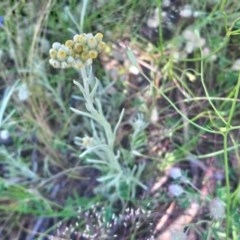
x=78, y=52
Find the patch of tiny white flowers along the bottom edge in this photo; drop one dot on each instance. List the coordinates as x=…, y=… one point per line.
x=98, y=223
